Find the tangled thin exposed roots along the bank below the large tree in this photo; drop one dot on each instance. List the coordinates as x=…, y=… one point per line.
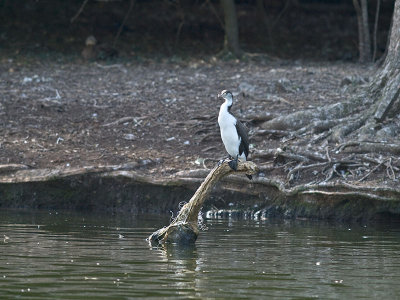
x=323, y=164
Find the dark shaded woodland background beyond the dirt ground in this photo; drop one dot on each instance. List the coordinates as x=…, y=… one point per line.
x=295, y=29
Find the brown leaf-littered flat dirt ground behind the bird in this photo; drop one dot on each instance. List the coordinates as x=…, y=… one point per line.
x=158, y=117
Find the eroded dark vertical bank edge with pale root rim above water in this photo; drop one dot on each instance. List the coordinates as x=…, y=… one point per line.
x=119, y=189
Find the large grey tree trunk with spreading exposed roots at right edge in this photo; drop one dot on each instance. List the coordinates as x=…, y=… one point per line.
x=366, y=125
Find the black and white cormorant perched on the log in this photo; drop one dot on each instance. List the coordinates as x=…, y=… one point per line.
x=233, y=132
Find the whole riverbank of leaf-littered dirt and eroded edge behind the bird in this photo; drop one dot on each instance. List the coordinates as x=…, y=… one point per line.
x=140, y=137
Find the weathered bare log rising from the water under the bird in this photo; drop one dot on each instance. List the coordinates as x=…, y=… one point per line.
x=184, y=228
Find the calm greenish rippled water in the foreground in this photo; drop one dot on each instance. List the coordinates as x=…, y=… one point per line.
x=72, y=256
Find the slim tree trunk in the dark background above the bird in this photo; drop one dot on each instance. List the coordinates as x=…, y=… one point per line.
x=231, y=41
